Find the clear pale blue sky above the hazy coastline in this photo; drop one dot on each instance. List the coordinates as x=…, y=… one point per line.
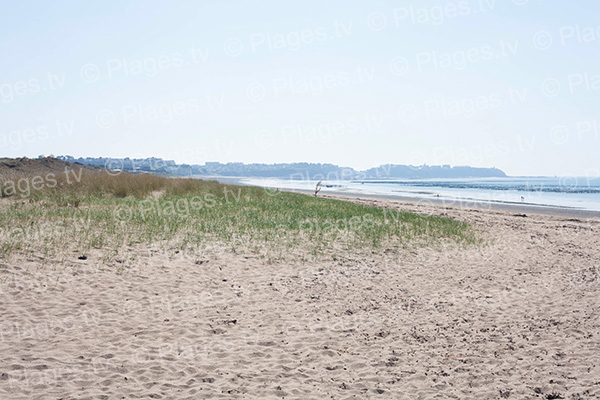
x=512, y=84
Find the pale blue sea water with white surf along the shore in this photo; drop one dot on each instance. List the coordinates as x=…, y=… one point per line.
x=568, y=192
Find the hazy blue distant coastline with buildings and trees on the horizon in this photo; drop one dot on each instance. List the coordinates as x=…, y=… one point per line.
x=284, y=171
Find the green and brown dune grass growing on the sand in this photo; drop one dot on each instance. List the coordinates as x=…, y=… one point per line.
x=97, y=210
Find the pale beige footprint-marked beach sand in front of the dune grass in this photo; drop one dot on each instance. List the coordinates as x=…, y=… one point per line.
x=517, y=318
